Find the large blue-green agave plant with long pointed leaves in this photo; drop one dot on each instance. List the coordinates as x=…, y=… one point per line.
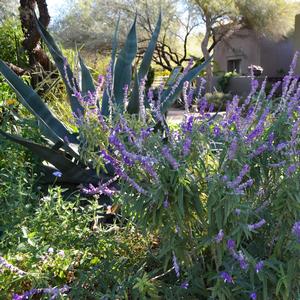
x=62, y=149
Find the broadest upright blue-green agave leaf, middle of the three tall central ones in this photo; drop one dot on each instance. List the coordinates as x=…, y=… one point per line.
x=123, y=68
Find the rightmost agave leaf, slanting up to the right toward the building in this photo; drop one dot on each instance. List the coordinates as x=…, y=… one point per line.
x=167, y=101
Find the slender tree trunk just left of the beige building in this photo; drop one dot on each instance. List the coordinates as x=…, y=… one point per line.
x=205, y=51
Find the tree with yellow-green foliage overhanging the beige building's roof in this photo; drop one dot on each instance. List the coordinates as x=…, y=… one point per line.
x=273, y=18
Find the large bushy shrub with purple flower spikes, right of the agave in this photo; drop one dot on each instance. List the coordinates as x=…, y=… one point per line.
x=220, y=192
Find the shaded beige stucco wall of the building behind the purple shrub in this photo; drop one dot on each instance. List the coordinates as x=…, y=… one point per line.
x=271, y=55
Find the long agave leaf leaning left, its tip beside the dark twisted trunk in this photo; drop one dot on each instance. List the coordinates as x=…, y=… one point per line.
x=64, y=69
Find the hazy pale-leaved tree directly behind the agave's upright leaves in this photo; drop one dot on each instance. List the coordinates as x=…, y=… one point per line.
x=91, y=22
